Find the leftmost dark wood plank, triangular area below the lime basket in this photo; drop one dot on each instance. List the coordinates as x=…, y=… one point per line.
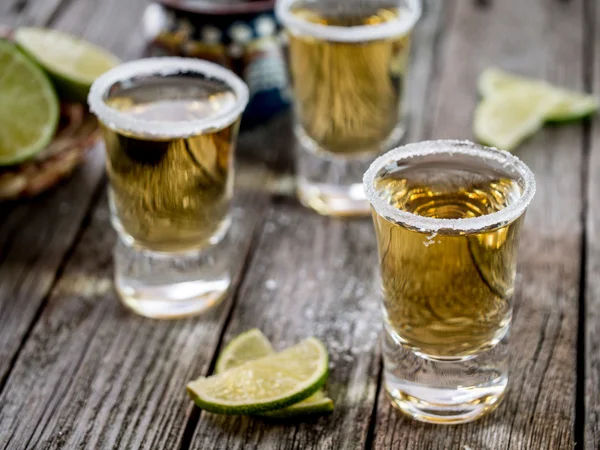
x=34, y=237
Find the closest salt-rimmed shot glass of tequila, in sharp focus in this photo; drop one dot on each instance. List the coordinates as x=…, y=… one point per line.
x=447, y=216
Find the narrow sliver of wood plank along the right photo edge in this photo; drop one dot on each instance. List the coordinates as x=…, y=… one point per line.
x=592, y=304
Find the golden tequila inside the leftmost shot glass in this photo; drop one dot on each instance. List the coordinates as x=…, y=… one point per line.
x=171, y=194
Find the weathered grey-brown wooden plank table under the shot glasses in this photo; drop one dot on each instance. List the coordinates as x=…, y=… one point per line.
x=79, y=371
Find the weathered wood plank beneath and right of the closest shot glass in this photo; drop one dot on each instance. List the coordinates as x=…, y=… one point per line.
x=541, y=39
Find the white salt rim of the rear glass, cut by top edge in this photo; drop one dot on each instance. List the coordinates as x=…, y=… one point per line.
x=346, y=34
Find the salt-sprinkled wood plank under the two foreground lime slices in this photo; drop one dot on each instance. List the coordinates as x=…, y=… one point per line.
x=315, y=276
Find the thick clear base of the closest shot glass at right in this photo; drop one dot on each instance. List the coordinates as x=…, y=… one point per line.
x=444, y=391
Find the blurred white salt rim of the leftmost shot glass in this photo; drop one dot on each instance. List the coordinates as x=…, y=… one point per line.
x=166, y=66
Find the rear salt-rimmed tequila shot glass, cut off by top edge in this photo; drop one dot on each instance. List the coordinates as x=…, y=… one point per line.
x=348, y=63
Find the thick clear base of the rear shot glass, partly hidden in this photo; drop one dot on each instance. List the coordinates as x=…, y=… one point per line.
x=331, y=183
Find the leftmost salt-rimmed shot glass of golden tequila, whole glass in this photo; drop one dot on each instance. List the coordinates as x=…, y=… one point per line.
x=170, y=127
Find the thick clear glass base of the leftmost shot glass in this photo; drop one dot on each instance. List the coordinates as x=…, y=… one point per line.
x=163, y=286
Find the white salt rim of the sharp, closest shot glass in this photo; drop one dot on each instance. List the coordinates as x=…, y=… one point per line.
x=450, y=147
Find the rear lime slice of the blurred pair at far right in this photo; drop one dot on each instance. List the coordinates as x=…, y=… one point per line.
x=569, y=105
